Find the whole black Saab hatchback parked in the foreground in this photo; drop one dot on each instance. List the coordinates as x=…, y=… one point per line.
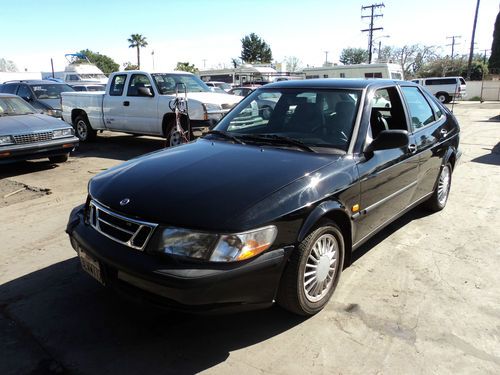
x=257, y=212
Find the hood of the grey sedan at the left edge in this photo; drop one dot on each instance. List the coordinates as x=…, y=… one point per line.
x=22, y=124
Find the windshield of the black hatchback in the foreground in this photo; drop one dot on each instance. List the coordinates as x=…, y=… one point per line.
x=316, y=118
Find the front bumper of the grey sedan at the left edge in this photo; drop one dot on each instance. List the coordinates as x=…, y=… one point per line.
x=31, y=151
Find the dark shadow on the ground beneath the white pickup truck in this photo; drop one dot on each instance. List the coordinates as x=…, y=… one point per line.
x=119, y=147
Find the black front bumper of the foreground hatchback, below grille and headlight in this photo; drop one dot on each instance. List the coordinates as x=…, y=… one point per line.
x=173, y=284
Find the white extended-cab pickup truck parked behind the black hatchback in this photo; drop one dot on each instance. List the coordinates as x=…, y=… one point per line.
x=138, y=102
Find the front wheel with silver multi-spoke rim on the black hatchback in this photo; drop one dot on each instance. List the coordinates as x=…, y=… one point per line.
x=313, y=271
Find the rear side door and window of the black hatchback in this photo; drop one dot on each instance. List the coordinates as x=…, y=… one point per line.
x=430, y=130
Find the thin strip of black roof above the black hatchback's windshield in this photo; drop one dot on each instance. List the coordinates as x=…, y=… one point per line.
x=334, y=83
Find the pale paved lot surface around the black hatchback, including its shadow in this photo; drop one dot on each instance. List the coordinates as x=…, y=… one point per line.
x=422, y=297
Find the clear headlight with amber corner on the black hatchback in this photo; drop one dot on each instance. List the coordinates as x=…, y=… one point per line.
x=214, y=247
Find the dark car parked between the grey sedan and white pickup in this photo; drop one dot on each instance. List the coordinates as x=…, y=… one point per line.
x=43, y=95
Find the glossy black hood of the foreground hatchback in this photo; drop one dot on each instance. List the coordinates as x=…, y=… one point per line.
x=203, y=185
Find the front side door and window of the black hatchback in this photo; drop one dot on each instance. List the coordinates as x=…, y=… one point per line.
x=388, y=177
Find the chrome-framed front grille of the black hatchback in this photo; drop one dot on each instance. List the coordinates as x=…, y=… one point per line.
x=130, y=232
